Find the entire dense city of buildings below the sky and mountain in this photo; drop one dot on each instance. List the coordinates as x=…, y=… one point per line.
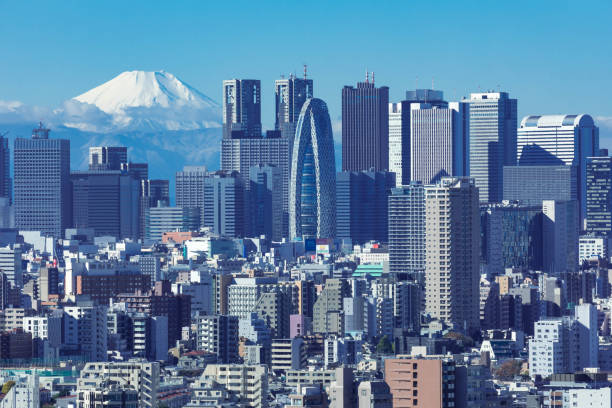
x=444, y=264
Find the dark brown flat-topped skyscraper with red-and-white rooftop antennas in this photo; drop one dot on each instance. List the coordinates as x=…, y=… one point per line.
x=365, y=127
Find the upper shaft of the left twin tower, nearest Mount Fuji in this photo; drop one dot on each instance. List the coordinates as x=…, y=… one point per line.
x=241, y=108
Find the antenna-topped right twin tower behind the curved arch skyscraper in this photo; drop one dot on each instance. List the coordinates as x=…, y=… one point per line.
x=291, y=94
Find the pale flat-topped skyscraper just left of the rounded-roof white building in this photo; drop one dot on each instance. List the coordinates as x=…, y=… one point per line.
x=493, y=121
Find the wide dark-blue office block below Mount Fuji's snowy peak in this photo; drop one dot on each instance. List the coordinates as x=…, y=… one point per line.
x=107, y=201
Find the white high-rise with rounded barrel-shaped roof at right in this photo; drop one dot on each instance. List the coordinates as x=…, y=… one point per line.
x=559, y=140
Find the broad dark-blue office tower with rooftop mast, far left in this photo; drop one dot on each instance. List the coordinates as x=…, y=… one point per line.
x=42, y=184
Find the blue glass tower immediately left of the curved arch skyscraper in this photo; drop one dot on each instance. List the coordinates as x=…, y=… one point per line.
x=265, y=199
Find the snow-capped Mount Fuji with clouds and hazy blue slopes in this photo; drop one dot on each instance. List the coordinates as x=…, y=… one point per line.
x=161, y=119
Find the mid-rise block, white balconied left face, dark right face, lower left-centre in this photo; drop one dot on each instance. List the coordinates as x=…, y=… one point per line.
x=218, y=334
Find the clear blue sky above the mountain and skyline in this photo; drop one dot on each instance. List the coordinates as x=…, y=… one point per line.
x=555, y=57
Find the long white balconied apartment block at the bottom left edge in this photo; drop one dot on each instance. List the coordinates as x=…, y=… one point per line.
x=137, y=375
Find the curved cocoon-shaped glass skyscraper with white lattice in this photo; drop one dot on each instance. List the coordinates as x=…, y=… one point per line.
x=312, y=188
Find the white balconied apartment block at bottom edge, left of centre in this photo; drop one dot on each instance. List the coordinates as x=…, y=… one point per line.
x=248, y=383
